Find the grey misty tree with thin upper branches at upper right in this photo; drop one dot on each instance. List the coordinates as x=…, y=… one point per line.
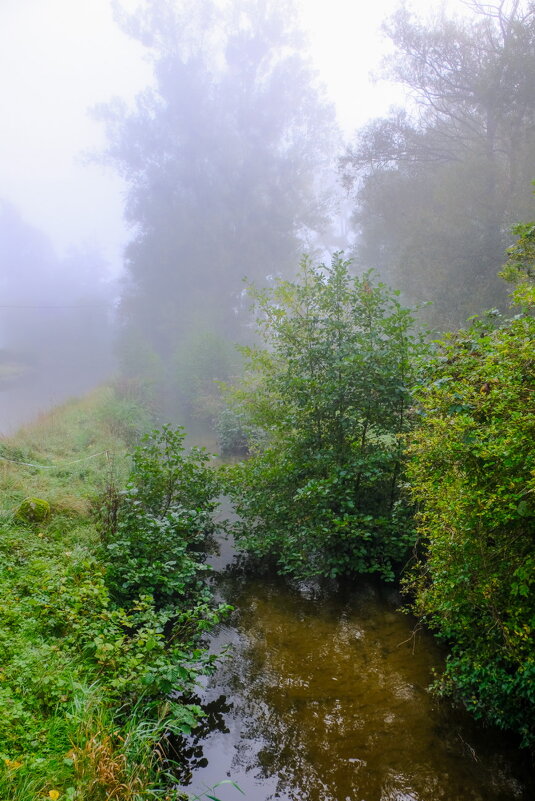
x=439, y=187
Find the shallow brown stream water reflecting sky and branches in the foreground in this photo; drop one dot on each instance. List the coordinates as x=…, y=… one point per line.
x=325, y=700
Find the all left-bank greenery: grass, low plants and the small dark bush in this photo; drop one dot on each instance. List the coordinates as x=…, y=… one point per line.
x=88, y=667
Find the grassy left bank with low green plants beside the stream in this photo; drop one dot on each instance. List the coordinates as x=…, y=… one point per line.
x=86, y=666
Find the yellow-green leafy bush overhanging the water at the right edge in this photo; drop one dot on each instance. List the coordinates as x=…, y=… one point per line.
x=472, y=471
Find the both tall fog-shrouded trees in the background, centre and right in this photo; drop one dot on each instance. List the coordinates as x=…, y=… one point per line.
x=228, y=158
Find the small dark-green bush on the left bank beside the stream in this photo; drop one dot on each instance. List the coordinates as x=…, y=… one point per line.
x=163, y=519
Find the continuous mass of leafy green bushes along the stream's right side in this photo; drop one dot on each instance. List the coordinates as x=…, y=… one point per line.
x=374, y=451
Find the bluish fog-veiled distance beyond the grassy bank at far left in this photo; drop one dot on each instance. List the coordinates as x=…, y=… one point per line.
x=56, y=324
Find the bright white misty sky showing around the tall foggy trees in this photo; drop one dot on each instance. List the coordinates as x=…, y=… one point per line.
x=60, y=57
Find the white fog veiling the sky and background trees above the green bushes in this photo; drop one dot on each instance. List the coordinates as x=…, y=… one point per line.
x=154, y=154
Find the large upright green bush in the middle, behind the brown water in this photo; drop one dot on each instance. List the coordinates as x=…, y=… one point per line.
x=322, y=491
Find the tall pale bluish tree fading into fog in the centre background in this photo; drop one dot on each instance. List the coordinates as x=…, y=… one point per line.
x=223, y=157
